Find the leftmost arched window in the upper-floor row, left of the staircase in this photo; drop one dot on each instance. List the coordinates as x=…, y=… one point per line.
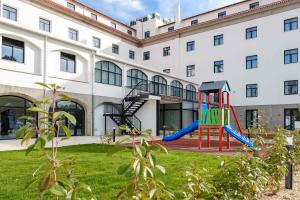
x=108, y=73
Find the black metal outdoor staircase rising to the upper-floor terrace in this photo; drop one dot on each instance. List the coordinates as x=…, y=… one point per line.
x=124, y=113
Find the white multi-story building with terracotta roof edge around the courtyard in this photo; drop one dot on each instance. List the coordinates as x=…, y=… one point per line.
x=251, y=44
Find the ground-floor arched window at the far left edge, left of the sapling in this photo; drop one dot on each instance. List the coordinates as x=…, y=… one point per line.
x=11, y=109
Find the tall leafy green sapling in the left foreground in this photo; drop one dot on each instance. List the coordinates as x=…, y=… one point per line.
x=47, y=128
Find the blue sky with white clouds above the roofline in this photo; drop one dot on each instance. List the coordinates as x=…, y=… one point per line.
x=127, y=10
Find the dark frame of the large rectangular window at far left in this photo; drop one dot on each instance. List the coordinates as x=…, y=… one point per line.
x=13, y=44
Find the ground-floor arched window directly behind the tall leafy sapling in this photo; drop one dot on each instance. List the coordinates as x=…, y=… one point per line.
x=77, y=111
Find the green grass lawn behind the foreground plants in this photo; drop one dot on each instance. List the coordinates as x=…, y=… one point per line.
x=95, y=168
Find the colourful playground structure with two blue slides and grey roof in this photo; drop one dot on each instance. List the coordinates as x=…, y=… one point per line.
x=214, y=115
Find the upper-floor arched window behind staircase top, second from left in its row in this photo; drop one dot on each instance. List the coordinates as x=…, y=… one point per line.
x=135, y=76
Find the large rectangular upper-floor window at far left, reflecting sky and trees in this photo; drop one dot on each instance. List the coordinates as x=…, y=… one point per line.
x=12, y=50
